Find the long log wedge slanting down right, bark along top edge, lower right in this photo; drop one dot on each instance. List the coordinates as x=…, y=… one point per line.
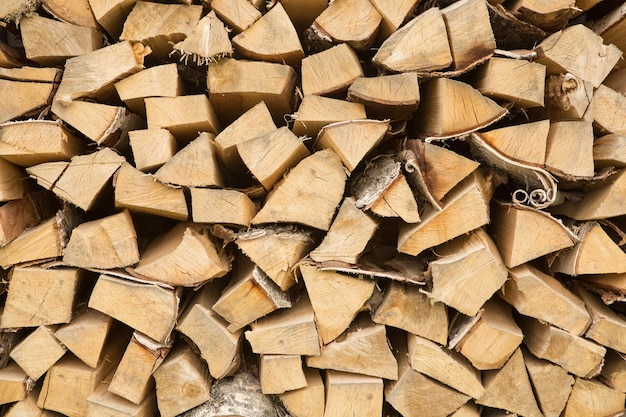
x=445, y=366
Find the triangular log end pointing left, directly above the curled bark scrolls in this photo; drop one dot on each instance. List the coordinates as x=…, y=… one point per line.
x=524, y=142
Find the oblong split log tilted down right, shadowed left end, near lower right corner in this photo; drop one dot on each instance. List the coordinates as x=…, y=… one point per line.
x=576, y=355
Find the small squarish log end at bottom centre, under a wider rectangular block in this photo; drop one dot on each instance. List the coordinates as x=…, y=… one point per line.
x=280, y=373
